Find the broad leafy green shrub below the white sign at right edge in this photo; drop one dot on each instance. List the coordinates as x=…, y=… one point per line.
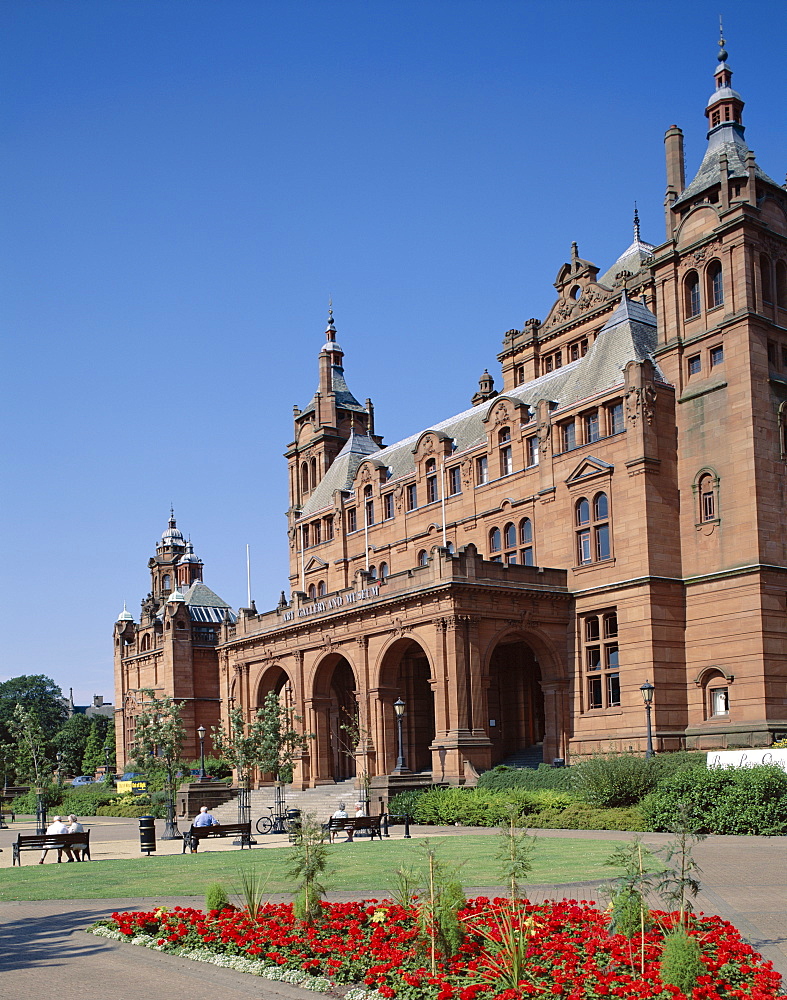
x=731, y=801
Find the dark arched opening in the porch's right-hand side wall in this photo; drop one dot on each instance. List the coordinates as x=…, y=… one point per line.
x=515, y=699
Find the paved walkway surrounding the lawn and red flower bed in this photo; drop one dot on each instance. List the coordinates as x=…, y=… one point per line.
x=44, y=950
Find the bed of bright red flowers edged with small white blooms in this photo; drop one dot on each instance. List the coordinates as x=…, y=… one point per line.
x=570, y=954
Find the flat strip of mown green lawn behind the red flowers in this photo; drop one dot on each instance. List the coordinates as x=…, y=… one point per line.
x=363, y=867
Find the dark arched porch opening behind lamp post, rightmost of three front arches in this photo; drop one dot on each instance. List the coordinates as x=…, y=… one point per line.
x=406, y=674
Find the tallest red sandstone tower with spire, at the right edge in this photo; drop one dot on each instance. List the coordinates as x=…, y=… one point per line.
x=721, y=287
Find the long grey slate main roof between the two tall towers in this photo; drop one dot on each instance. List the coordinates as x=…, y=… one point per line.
x=629, y=334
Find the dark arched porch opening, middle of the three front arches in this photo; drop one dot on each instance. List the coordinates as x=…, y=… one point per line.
x=336, y=707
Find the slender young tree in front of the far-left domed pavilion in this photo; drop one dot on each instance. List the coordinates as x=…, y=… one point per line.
x=158, y=743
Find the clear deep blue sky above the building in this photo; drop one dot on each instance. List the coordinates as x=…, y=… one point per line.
x=186, y=182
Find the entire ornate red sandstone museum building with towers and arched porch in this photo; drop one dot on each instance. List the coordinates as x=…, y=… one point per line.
x=613, y=513
